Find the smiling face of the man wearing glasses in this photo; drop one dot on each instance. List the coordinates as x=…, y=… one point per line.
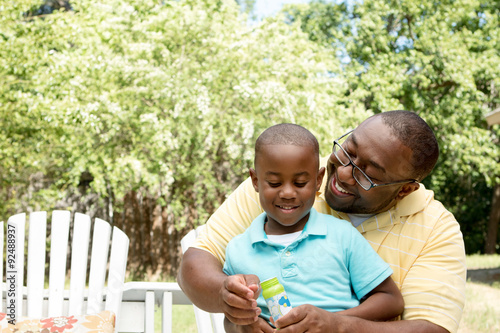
x=382, y=157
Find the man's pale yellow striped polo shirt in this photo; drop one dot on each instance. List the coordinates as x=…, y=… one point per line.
x=418, y=237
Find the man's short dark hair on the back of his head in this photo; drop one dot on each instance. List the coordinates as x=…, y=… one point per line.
x=416, y=134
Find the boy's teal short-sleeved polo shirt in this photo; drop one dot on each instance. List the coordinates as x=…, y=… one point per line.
x=330, y=265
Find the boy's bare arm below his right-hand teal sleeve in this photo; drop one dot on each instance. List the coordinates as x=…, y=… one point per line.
x=384, y=302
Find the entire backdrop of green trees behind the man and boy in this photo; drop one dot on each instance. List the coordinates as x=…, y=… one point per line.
x=144, y=113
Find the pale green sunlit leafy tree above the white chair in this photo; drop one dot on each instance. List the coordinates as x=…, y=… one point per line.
x=166, y=99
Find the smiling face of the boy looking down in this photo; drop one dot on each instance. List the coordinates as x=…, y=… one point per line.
x=287, y=179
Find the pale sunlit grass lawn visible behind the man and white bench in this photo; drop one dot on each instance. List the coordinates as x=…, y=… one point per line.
x=481, y=313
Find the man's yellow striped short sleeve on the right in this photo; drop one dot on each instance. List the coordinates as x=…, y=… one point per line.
x=434, y=288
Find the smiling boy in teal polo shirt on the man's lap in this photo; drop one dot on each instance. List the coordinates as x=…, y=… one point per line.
x=320, y=260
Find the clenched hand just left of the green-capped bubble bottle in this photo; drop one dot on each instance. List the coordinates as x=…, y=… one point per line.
x=239, y=294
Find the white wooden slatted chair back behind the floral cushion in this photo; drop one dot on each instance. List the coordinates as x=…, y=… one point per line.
x=33, y=299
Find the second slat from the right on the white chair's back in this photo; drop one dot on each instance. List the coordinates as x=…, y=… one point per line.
x=100, y=250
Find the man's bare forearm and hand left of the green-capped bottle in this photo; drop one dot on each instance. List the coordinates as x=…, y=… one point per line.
x=202, y=280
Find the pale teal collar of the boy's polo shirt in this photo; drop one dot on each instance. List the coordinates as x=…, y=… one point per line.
x=312, y=227
